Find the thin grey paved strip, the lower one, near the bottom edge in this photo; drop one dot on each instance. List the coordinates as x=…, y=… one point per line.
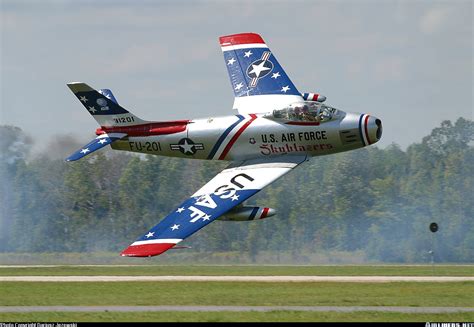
x=210, y=308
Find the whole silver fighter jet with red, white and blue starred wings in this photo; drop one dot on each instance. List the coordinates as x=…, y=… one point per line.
x=275, y=130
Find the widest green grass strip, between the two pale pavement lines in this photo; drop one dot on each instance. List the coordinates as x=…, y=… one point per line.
x=452, y=294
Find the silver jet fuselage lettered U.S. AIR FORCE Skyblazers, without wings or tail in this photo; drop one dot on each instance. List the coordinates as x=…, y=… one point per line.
x=242, y=137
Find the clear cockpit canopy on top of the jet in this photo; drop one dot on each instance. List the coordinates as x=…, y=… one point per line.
x=307, y=111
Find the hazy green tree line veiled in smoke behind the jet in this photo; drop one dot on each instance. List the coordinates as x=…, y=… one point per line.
x=378, y=202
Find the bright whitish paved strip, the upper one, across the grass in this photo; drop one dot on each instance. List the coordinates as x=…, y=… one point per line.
x=352, y=279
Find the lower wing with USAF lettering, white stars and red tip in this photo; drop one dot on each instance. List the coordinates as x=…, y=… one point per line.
x=229, y=188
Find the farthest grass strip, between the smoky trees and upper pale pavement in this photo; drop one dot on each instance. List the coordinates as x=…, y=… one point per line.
x=242, y=270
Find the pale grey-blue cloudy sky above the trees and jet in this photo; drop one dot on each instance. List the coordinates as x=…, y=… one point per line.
x=409, y=63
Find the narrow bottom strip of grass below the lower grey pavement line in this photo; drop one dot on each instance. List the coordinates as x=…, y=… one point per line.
x=280, y=316
